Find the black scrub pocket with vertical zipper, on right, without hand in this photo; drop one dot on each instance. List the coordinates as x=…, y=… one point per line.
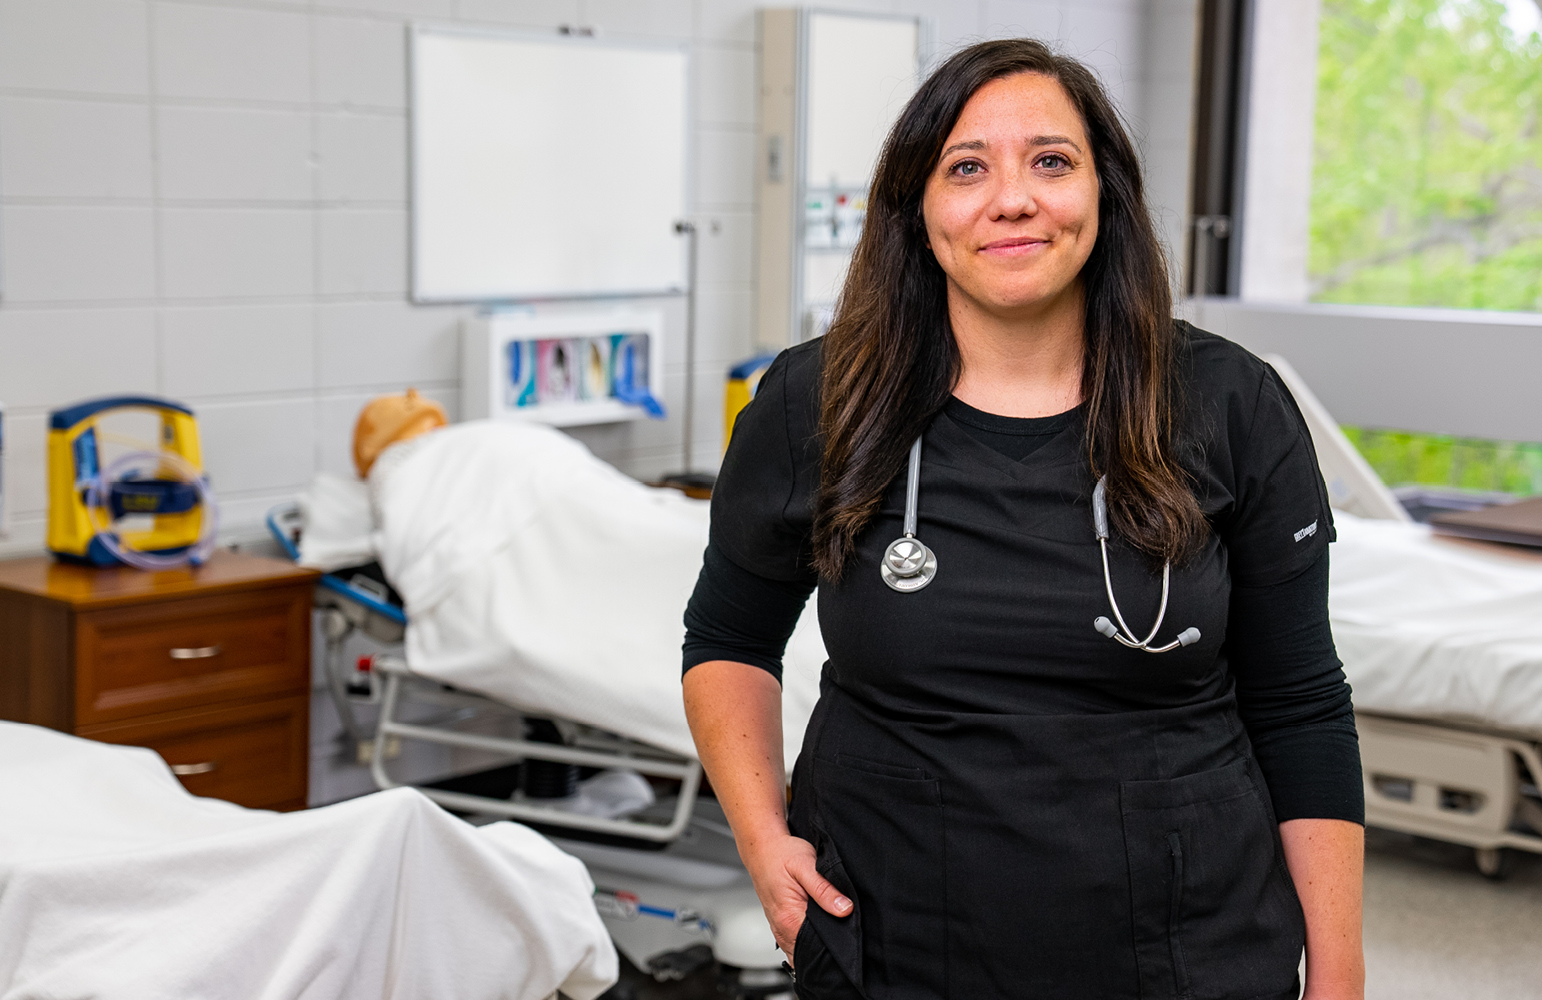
x=1216, y=911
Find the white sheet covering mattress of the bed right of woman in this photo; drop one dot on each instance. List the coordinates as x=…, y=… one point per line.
x=1435, y=629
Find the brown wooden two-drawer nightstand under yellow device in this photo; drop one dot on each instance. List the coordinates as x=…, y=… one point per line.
x=207, y=666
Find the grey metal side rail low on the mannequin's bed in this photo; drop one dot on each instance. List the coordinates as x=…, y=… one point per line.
x=635, y=756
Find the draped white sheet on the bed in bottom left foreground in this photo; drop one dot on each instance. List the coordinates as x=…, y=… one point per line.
x=118, y=884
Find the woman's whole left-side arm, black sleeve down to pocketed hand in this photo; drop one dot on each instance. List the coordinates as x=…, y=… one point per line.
x=738, y=626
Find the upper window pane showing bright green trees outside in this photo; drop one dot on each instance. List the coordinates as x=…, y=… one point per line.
x=1427, y=180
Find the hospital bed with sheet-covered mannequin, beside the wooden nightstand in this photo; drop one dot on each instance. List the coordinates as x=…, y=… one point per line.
x=540, y=583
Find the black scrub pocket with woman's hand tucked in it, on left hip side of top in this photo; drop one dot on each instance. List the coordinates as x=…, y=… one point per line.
x=880, y=834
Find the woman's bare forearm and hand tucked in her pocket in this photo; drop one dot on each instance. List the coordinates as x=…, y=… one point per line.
x=736, y=719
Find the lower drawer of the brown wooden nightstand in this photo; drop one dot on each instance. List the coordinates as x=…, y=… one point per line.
x=249, y=754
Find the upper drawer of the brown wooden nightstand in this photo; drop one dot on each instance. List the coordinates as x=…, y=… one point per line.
x=143, y=660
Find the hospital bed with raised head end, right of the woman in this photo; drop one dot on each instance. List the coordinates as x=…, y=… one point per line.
x=1443, y=643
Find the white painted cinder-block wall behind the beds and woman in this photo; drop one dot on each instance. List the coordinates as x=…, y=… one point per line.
x=207, y=201
